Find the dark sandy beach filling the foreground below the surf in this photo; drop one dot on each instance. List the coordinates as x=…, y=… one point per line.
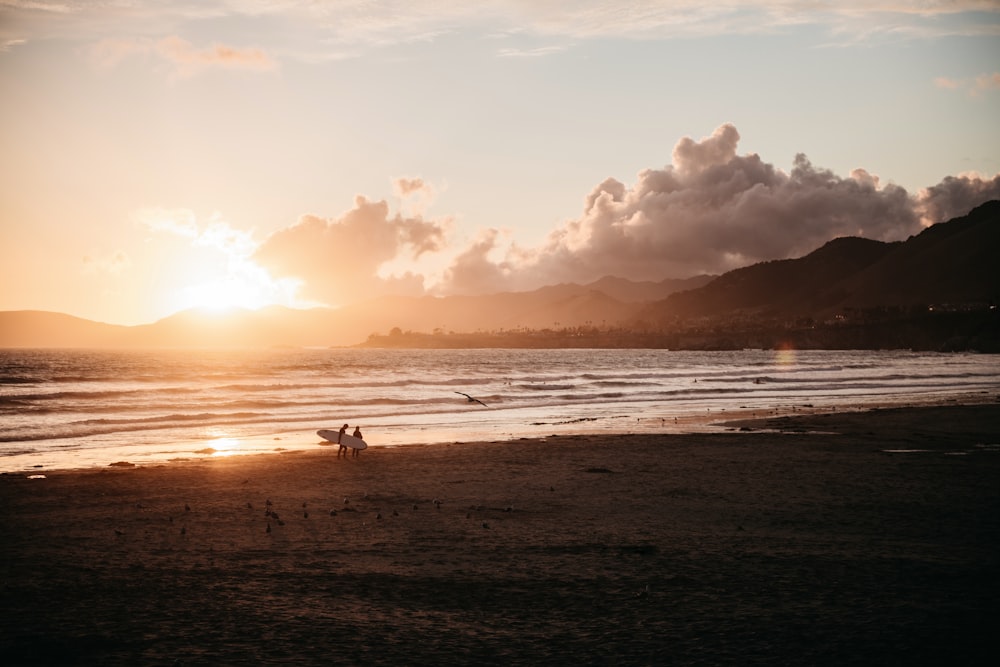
x=747, y=547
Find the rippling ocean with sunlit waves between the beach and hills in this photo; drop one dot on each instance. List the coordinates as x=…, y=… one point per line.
x=83, y=408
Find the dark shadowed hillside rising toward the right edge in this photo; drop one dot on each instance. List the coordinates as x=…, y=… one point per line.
x=948, y=264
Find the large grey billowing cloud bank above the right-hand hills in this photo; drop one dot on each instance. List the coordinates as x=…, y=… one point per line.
x=710, y=211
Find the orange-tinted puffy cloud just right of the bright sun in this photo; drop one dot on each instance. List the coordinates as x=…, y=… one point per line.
x=338, y=260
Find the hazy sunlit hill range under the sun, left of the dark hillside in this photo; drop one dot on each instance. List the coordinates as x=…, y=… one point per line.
x=556, y=306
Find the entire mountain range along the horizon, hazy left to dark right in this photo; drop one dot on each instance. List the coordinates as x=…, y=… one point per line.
x=951, y=266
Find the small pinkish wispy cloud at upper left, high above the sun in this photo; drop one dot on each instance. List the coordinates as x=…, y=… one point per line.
x=185, y=59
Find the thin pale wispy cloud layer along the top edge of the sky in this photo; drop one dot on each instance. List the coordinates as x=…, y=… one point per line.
x=340, y=27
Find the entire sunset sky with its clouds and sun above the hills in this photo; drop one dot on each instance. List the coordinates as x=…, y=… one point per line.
x=161, y=155
